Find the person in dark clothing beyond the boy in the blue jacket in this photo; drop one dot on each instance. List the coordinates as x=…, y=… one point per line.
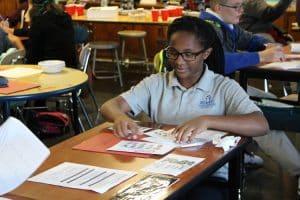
x=258, y=18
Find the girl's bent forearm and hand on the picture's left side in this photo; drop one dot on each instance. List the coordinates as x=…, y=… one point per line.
x=115, y=111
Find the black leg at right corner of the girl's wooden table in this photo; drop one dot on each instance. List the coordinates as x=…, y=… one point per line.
x=235, y=176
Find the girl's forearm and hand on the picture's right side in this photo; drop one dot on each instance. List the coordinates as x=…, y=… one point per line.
x=253, y=124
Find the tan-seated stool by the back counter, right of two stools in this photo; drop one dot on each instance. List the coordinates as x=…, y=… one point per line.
x=133, y=34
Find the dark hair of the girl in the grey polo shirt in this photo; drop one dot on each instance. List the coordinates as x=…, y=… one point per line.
x=207, y=37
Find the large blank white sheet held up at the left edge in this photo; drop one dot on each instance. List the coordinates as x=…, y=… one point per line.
x=21, y=153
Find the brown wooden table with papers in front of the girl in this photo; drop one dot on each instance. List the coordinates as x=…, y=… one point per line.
x=62, y=152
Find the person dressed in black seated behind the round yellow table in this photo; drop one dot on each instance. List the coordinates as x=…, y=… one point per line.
x=51, y=34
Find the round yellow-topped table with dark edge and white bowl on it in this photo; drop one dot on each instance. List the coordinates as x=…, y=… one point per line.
x=69, y=80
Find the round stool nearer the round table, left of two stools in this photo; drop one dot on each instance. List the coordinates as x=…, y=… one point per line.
x=106, y=45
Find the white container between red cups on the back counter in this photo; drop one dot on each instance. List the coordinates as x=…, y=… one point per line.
x=102, y=12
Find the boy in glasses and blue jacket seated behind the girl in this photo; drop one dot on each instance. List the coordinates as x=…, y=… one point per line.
x=243, y=49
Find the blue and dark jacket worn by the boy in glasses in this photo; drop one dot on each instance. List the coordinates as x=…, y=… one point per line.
x=236, y=40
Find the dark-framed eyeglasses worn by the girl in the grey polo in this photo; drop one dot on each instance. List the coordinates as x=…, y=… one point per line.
x=173, y=54
